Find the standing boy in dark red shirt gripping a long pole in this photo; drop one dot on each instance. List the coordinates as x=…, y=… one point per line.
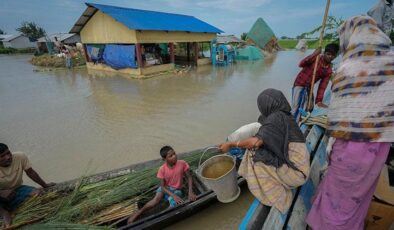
x=303, y=81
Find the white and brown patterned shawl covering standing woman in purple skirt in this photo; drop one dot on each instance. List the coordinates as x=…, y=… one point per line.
x=362, y=103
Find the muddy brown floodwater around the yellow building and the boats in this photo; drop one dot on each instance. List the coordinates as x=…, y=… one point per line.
x=74, y=122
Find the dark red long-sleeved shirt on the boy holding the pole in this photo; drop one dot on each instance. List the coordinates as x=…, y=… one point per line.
x=323, y=73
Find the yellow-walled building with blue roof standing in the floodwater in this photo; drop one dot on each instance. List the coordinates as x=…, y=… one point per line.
x=142, y=42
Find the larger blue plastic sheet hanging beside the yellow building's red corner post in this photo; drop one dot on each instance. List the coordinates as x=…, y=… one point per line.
x=120, y=56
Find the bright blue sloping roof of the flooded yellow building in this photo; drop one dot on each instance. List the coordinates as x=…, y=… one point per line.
x=136, y=19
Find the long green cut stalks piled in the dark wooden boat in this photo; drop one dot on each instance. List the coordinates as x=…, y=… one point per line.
x=99, y=203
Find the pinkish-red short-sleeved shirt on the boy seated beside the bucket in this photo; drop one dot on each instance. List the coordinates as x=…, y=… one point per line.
x=173, y=176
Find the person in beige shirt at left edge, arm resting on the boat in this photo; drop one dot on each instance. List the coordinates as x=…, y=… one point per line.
x=12, y=192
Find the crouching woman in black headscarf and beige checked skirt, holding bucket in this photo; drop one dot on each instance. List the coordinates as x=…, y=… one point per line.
x=276, y=159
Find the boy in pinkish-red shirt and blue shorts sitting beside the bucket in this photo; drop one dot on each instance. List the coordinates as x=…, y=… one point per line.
x=170, y=174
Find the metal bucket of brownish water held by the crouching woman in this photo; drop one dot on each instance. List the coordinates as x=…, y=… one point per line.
x=219, y=173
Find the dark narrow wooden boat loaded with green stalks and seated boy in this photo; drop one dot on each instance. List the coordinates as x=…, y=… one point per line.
x=161, y=216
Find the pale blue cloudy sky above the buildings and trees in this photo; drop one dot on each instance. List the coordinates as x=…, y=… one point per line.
x=285, y=17
